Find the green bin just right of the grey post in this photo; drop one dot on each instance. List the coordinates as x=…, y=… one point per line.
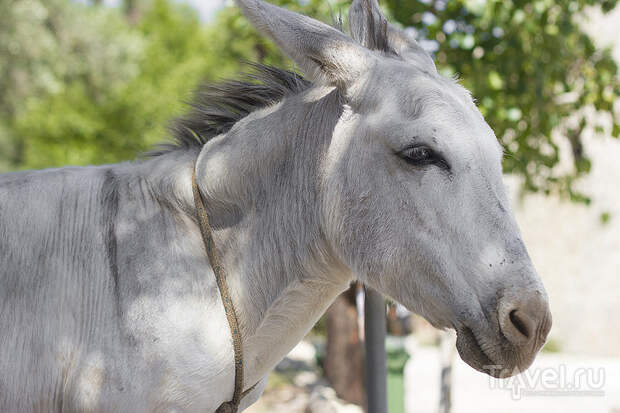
x=397, y=357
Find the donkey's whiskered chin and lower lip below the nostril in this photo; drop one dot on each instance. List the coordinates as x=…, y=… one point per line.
x=496, y=361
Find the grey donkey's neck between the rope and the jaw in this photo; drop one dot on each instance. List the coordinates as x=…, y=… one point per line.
x=261, y=187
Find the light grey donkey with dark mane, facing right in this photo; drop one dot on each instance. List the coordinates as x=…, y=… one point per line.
x=377, y=168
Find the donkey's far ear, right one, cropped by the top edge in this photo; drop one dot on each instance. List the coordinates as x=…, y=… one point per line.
x=370, y=27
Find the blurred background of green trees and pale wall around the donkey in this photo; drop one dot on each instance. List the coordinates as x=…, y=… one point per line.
x=97, y=81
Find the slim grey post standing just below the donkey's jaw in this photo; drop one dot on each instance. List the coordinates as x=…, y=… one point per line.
x=376, y=370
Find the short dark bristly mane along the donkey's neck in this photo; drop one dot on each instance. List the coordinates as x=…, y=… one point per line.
x=216, y=107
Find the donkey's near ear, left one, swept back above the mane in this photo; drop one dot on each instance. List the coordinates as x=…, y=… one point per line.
x=321, y=51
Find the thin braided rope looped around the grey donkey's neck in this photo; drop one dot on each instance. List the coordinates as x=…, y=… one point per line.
x=220, y=277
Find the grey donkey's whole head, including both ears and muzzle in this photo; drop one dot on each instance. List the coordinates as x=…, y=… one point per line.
x=412, y=191
